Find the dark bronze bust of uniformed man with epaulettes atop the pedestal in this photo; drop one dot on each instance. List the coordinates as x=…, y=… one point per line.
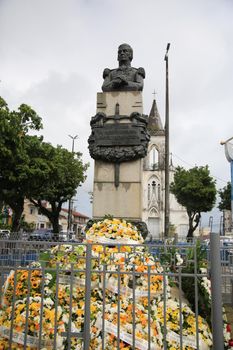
x=124, y=78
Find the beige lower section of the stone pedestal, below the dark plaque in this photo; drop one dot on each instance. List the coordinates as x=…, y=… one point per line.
x=123, y=201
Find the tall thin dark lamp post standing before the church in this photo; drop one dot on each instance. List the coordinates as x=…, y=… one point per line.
x=166, y=206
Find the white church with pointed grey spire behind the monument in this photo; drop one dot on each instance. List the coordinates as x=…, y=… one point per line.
x=153, y=184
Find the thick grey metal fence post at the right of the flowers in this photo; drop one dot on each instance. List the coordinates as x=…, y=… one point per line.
x=216, y=291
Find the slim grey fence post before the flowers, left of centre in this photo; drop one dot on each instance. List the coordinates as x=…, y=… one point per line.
x=87, y=317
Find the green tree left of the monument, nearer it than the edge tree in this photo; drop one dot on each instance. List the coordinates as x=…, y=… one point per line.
x=59, y=183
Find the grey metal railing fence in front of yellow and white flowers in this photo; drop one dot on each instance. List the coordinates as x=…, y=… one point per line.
x=57, y=295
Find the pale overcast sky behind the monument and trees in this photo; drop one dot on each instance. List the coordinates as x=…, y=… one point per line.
x=53, y=52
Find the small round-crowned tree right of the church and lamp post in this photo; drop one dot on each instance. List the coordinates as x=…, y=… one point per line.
x=195, y=190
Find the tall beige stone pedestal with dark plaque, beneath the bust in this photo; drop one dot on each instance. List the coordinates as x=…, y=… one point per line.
x=121, y=198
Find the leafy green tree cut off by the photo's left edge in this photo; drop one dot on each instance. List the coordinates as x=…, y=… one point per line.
x=14, y=127
